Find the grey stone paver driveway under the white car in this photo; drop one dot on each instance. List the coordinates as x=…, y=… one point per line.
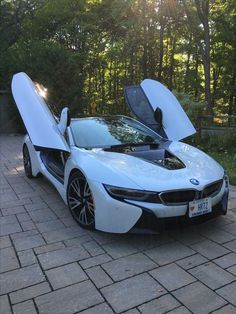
x=50, y=265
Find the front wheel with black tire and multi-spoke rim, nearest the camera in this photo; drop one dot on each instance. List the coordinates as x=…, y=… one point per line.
x=80, y=201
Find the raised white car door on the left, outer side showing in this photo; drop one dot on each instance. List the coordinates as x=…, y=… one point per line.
x=40, y=124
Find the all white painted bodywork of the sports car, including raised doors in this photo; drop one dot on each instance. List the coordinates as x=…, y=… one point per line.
x=118, y=169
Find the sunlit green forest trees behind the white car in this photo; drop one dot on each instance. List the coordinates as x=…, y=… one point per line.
x=86, y=51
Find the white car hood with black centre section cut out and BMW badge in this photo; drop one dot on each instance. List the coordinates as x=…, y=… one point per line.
x=153, y=177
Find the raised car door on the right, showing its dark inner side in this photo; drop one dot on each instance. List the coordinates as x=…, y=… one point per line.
x=150, y=95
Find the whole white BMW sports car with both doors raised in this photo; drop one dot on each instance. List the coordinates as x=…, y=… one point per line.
x=116, y=173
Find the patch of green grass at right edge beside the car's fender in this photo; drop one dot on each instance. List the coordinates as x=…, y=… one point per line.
x=228, y=161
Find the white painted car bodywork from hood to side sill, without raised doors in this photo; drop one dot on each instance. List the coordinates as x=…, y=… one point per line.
x=117, y=169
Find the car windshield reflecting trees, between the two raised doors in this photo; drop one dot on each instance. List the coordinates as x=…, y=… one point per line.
x=110, y=131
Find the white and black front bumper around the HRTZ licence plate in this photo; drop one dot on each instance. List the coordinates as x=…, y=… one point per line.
x=118, y=216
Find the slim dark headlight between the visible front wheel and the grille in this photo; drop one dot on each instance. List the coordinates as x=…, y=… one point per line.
x=132, y=194
